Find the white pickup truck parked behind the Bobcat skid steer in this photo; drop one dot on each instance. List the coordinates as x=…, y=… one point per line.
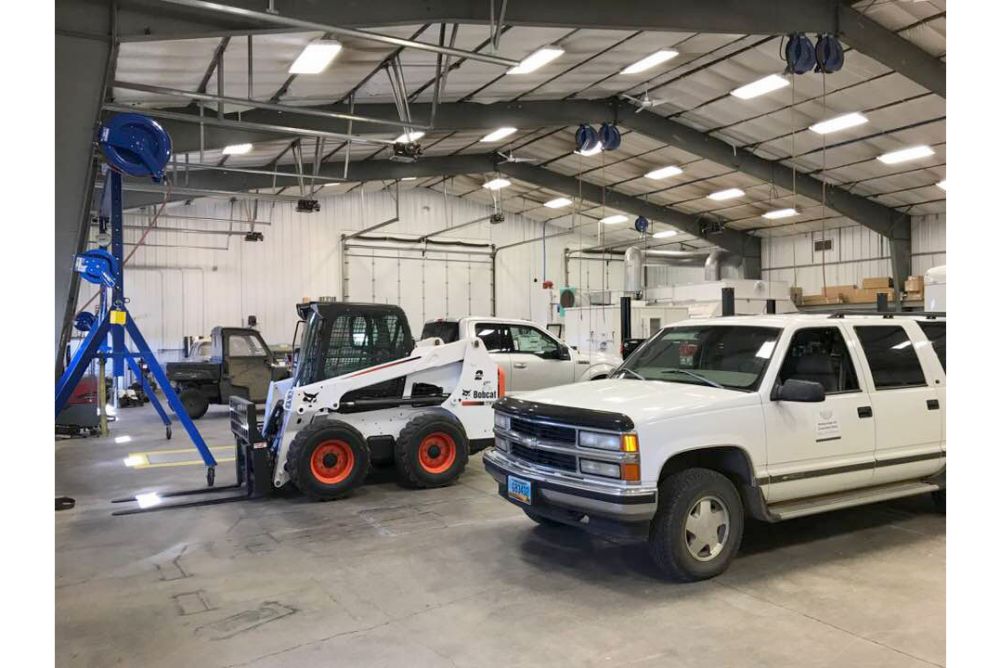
x=530, y=357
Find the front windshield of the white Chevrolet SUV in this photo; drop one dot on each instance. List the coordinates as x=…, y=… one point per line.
x=727, y=356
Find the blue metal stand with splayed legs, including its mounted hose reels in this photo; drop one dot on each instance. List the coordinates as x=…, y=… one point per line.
x=130, y=151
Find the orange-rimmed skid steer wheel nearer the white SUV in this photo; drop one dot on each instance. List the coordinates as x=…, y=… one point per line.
x=431, y=451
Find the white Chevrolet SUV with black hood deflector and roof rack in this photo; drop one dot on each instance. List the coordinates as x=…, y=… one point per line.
x=774, y=416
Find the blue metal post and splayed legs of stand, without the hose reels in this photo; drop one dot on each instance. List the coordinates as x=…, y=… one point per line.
x=95, y=342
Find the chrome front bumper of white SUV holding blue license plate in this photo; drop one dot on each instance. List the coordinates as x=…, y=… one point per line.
x=554, y=490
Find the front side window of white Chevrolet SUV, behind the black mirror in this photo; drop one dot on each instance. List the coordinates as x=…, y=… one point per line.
x=820, y=355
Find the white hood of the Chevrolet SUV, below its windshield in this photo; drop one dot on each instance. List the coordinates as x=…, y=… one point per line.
x=642, y=401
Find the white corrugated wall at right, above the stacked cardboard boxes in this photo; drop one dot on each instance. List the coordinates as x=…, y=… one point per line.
x=856, y=253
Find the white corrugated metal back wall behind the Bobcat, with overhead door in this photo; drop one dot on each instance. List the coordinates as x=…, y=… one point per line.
x=185, y=283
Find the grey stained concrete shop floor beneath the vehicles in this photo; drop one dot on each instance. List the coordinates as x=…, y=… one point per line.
x=458, y=577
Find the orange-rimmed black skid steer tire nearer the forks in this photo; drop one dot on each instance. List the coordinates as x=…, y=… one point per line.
x=327, y=460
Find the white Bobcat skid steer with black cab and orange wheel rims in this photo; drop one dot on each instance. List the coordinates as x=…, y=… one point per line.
x=363, y=393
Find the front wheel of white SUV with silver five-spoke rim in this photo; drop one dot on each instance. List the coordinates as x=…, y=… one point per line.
x=698, y=525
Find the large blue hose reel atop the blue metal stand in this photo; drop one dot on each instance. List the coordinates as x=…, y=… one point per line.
x=136, y=145
